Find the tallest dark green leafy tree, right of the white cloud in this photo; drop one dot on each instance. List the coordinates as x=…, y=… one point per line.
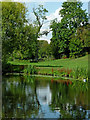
x=72, y=18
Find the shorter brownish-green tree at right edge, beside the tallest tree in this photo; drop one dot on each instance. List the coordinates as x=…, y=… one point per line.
x=79, y=43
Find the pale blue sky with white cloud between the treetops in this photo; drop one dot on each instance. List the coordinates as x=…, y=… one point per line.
x=53, y=10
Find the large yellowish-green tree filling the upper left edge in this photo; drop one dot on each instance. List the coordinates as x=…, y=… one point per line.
x=13, y=21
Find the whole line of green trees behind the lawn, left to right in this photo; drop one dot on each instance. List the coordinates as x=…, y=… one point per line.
x=70, y=37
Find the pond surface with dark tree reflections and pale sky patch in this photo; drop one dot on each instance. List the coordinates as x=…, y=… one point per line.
x=35, y=97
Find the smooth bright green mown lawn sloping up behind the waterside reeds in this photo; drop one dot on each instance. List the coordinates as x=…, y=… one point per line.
x=81, y=62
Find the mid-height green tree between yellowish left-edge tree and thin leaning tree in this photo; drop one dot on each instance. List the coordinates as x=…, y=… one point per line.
x=28, y=46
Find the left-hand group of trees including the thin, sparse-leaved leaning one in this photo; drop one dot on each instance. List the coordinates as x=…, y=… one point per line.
x=19, y=37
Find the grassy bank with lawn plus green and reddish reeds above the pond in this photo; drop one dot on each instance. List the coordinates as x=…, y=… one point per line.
x=74, y=68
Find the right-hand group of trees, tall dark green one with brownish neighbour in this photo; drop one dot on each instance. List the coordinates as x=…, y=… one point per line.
x=71, y=35
